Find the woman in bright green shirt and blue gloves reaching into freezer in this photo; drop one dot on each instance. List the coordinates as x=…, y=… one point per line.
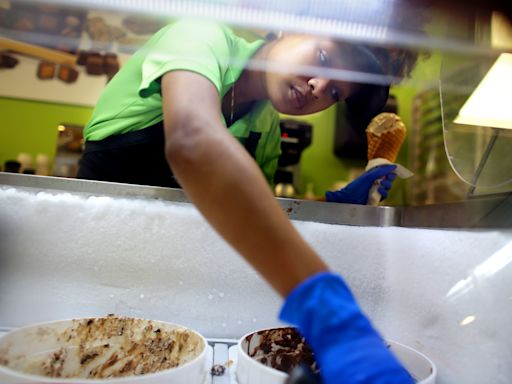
x=183, y=109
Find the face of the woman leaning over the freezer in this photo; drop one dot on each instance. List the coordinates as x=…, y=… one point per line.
x=294, y=80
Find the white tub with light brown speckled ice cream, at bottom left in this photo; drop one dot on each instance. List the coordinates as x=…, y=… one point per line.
x=103, y=350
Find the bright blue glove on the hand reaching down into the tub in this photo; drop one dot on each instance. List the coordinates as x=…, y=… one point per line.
x=347, y=348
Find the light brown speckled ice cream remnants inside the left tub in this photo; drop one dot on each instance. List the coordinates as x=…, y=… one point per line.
x=106, y=347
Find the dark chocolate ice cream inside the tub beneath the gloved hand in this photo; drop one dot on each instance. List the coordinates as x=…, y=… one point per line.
x=282, y=349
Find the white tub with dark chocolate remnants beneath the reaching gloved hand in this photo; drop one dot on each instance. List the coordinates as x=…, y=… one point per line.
x=267, y=357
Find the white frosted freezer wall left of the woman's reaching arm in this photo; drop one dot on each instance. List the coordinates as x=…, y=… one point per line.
x=91, y=255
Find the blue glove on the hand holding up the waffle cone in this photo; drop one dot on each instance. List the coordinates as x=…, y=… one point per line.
x=357, y=191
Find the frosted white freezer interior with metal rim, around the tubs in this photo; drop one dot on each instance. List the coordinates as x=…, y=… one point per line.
x=80, y=249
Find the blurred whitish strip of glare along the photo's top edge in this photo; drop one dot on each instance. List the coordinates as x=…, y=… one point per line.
x=347, y=19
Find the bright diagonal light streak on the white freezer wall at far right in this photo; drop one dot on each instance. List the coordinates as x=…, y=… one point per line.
x=482, y=271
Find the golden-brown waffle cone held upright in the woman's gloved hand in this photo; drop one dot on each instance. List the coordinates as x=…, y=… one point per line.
x=385, y=134
